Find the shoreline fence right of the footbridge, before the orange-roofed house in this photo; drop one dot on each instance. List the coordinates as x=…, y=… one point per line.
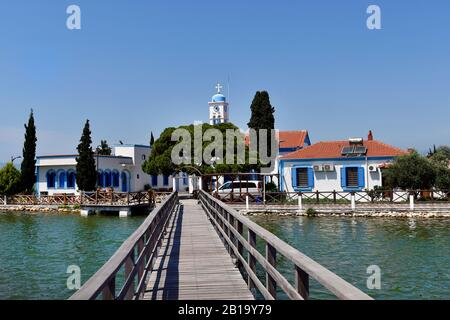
x=333, y=197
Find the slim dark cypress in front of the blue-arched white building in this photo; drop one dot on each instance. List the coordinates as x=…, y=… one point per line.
x=86, y=171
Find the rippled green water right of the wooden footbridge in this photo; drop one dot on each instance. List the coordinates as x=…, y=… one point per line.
x=413, y=254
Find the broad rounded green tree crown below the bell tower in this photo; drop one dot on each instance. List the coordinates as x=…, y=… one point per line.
x=160, y=160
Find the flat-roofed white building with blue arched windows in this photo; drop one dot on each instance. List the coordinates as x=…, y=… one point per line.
x=121, y=171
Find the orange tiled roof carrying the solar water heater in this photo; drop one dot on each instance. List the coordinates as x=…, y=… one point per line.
x=333, y=149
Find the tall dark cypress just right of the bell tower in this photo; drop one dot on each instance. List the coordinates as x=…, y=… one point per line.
x=262, y=115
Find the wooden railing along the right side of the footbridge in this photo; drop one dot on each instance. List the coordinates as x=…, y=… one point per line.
x=230, y=226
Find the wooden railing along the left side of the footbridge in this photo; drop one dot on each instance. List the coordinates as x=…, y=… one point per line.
x=136, y=256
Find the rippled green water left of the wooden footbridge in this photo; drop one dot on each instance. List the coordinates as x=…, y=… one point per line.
x=35, y=250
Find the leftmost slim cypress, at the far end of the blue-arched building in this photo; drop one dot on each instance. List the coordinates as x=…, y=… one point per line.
x=28, y=166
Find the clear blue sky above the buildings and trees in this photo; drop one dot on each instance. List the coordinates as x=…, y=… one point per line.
x=141, y=66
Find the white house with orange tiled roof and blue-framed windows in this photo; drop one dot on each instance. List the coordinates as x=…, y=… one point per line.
x=352, y=165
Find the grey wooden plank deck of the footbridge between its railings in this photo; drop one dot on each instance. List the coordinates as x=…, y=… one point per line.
x=193, y=262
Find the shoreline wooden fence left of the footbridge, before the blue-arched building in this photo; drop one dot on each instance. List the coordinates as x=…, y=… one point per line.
x=88, y=198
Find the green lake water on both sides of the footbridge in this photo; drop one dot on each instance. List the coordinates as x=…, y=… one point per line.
x=414, y=255
